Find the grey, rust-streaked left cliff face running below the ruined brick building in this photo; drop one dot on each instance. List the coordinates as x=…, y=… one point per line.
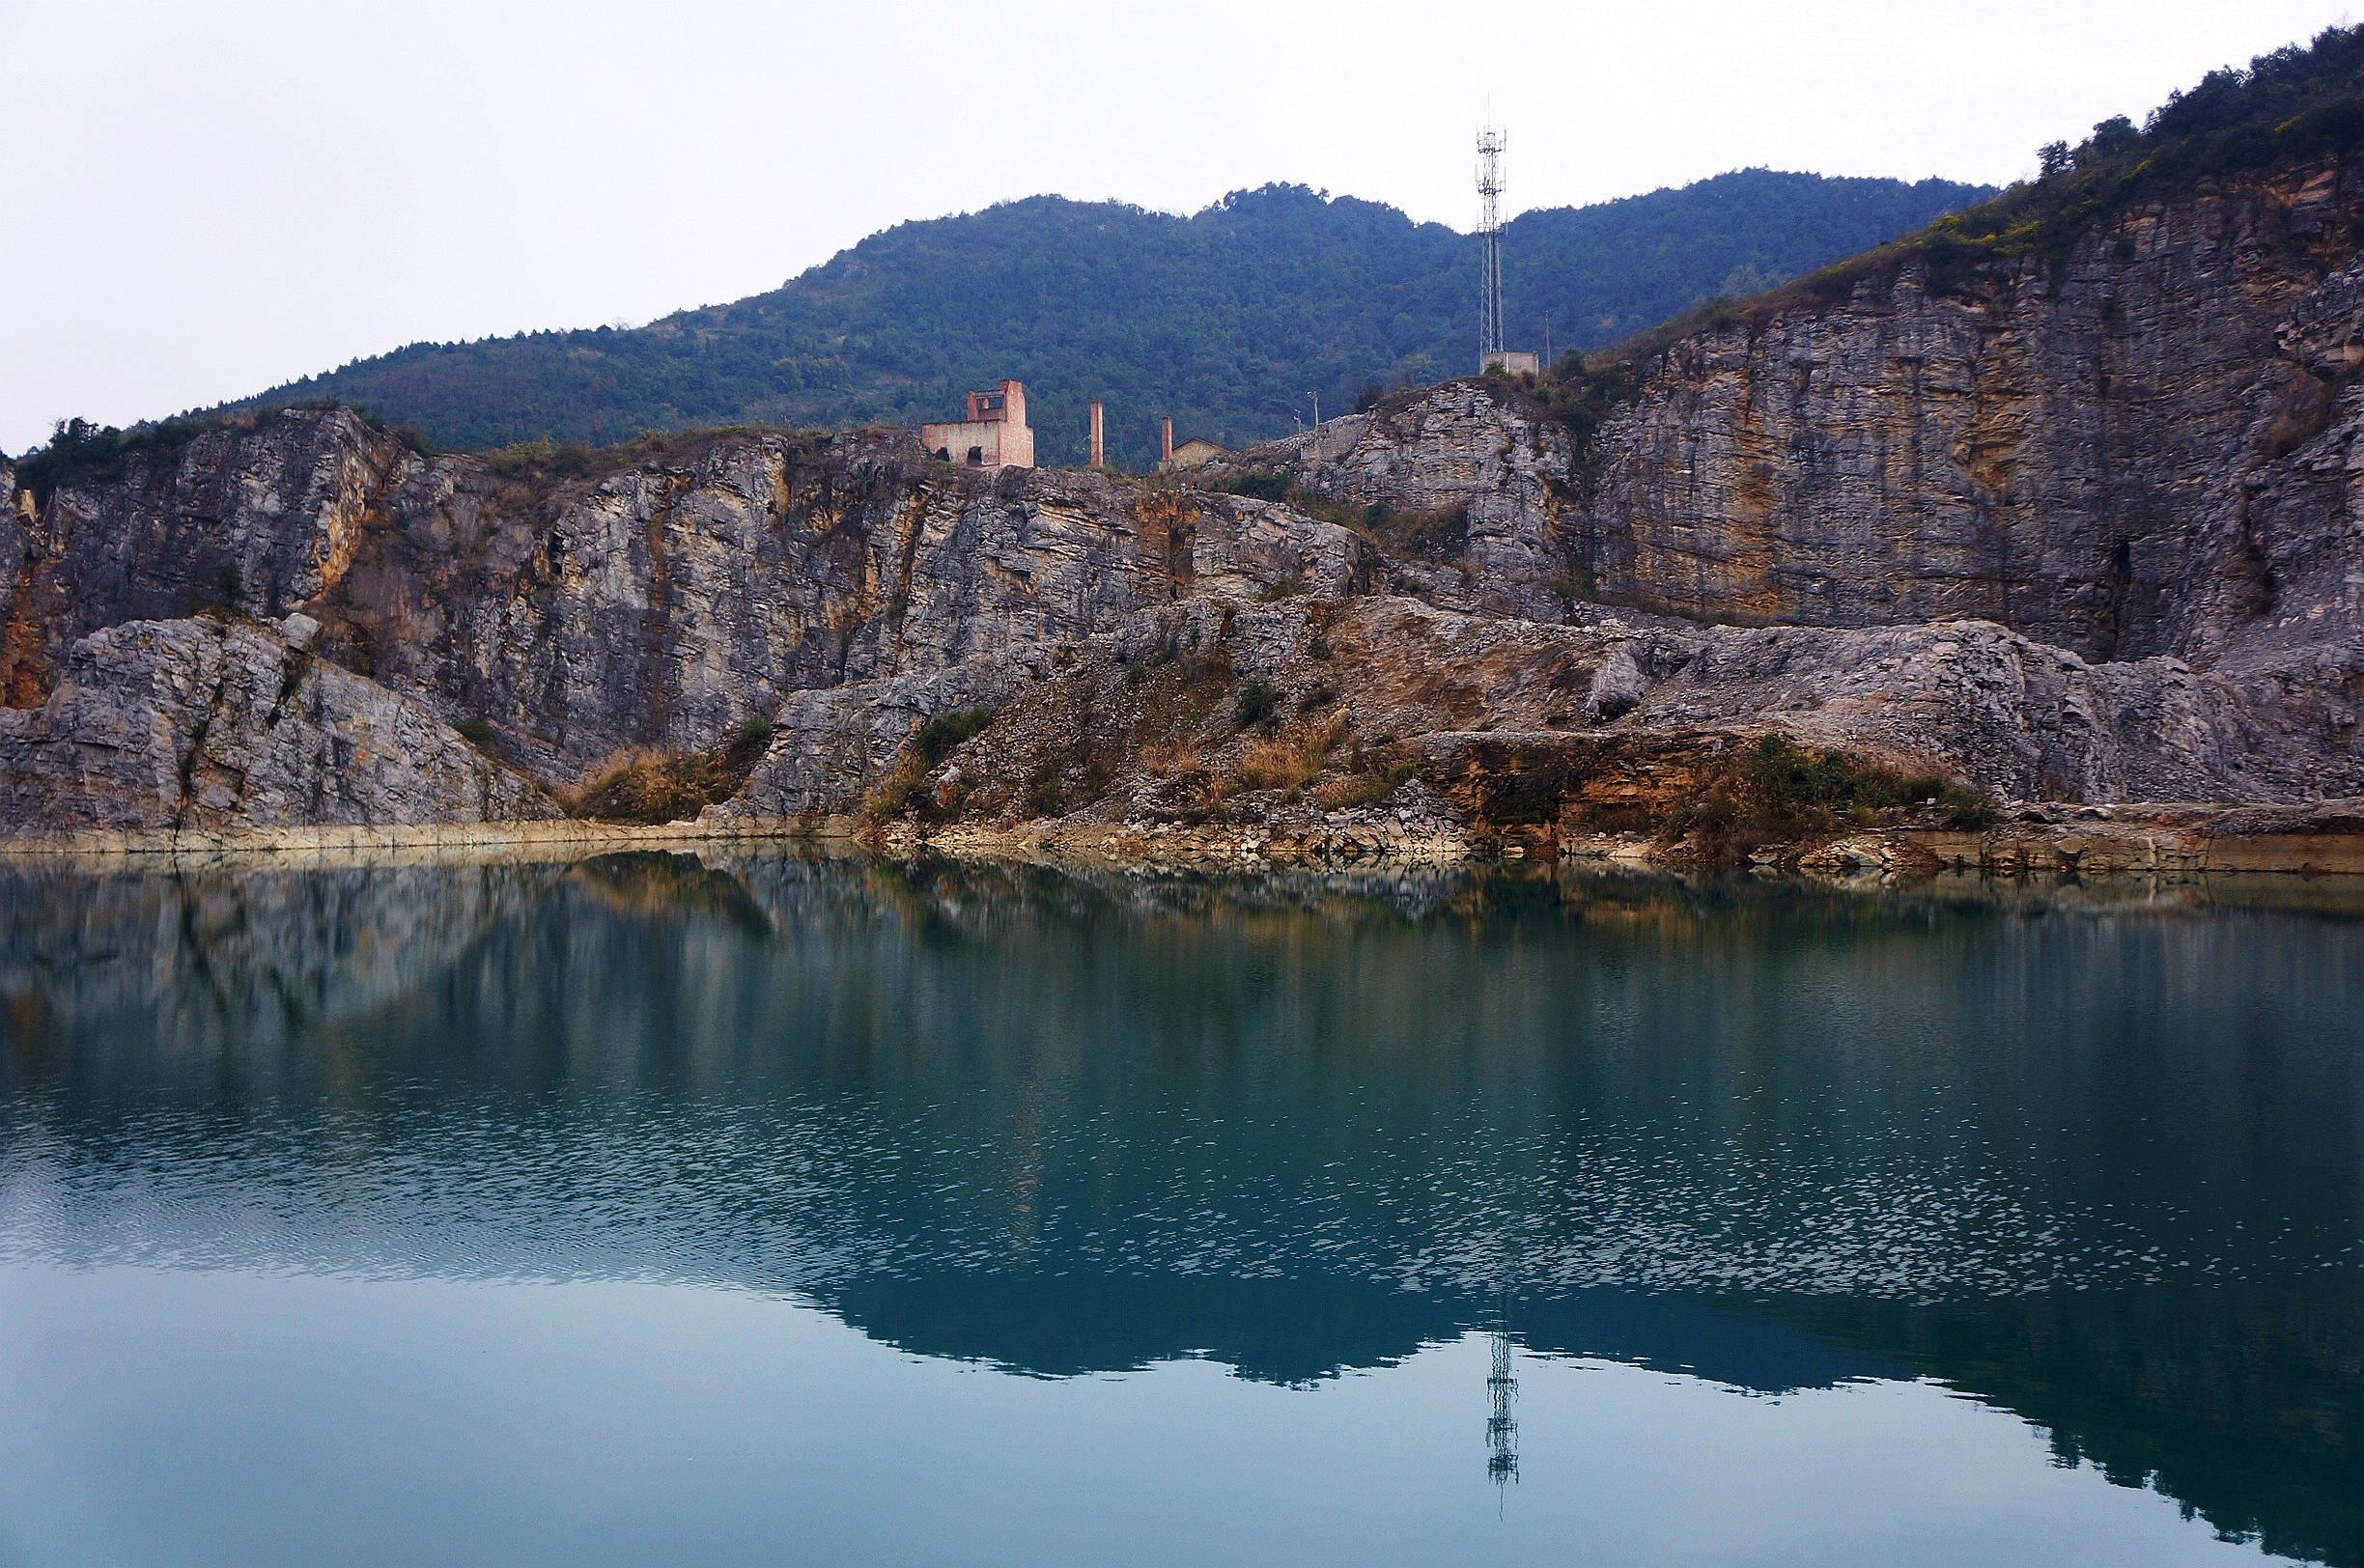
x=663, y=604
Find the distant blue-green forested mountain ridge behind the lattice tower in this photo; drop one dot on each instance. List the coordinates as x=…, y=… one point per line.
x=1230, y=320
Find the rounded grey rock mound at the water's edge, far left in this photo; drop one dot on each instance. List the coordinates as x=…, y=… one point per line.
x=209, y=725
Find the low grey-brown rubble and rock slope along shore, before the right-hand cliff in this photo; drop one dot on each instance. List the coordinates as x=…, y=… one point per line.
x=1148, y=718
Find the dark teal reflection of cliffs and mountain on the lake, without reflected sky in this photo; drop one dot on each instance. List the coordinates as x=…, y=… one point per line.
x=2065, y=1158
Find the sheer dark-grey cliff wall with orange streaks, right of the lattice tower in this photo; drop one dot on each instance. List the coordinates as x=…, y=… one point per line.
x=2072, y=453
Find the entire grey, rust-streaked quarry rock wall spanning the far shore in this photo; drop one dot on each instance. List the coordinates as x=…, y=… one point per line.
x=2082, y=531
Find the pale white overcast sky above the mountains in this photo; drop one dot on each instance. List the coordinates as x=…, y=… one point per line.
x=207, y=200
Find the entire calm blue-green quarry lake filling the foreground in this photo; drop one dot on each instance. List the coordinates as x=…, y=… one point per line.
x=772, y=1210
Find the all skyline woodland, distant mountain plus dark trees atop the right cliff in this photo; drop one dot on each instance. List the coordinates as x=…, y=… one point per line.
x=1238, y=318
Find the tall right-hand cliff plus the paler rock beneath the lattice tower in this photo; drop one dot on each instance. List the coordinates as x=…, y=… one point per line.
x=2150, y=451
